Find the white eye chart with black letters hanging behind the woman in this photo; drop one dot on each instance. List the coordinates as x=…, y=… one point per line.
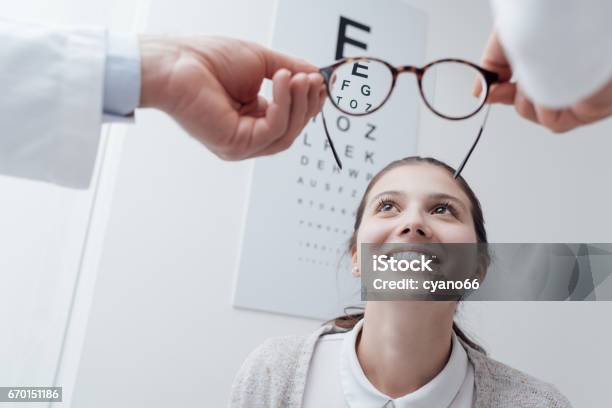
x=294, y=257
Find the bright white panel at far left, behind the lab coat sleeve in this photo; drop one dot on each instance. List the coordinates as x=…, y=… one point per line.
x=43, y=229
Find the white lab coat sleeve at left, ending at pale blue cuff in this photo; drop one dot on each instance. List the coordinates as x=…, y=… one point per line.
x=51, y=87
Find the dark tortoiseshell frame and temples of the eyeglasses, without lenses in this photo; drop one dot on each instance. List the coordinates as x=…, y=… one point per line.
x=327, y=72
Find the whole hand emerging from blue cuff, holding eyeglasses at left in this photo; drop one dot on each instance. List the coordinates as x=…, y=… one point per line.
x=210, y=86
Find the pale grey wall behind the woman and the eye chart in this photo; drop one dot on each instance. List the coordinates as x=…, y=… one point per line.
x=162, y=331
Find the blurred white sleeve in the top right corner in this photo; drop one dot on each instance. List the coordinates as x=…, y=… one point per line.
x=560, y=50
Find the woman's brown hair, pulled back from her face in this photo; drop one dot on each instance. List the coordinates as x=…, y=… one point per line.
x=349, y=320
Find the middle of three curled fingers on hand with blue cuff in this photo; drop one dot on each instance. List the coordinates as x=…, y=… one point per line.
x=299, y=105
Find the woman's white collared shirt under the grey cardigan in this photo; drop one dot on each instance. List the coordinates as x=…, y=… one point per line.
x=336, y=379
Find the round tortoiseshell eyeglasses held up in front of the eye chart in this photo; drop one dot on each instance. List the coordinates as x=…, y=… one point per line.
x=362, y=85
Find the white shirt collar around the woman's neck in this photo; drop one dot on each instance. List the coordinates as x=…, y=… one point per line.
x=439, y=392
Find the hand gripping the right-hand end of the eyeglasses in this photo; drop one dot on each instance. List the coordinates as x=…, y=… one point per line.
x=595, y=107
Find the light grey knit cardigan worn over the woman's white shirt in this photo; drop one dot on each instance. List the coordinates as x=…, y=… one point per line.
x=274, y=375
